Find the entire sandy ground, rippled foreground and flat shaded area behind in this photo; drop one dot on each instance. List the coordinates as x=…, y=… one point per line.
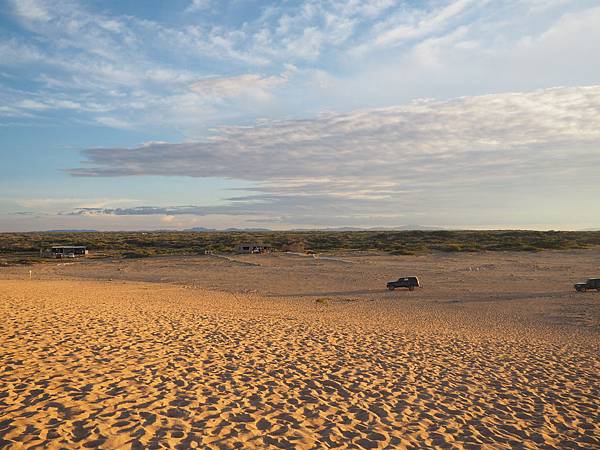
x=496, y=351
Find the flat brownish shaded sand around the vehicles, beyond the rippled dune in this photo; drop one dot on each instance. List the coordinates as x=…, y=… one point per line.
x=534, y=288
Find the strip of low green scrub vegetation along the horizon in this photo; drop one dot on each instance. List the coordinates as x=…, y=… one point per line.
x=24, y=246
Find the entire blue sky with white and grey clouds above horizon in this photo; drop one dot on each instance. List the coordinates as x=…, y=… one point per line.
x=129, y=115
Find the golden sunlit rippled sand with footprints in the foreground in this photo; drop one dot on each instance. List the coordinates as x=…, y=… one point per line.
x=134, y=365
